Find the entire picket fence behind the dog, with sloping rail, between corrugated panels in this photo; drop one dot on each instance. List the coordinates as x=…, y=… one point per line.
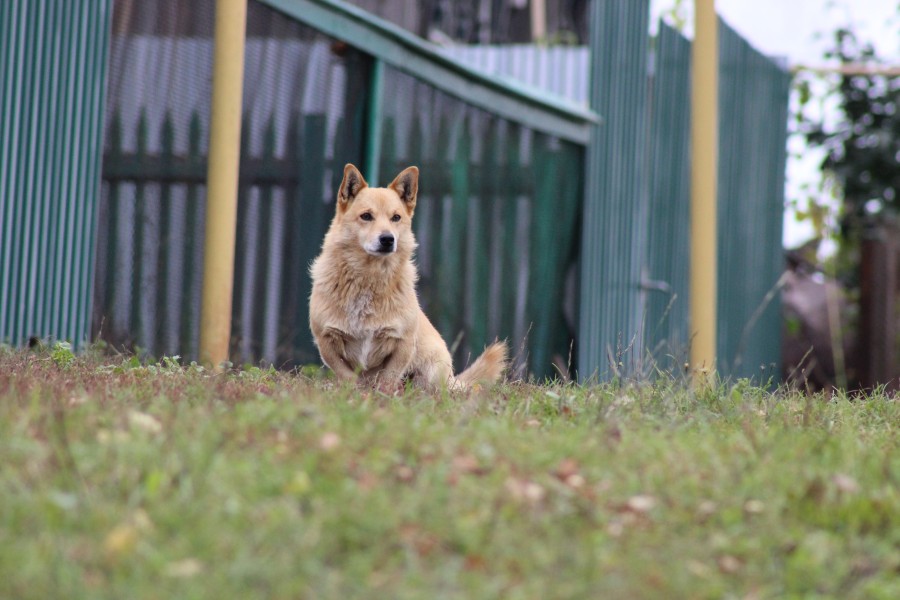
x=312, y=105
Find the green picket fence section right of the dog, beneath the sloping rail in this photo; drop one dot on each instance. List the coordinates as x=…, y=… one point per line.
x=496, y=223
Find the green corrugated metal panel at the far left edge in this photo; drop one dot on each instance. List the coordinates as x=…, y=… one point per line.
x=52, y=85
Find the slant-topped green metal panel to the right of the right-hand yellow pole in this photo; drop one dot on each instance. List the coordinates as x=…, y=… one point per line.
x=753, y=94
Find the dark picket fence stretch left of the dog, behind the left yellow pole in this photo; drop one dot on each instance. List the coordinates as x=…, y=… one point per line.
x=297, y=134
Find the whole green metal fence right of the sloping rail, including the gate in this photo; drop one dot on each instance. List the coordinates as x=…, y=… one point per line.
x=635, y=293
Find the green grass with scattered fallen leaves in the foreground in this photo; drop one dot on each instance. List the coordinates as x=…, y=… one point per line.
x=119, y=480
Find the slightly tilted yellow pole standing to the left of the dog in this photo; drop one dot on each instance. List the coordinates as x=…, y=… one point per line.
x=222, y=180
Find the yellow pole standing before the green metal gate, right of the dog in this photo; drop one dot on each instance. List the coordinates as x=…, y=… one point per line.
x=704, y=135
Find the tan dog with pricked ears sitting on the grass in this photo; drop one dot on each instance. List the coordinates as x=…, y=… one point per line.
x=363, y=311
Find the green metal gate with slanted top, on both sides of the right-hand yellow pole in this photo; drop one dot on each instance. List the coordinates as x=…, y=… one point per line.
x=753, y=104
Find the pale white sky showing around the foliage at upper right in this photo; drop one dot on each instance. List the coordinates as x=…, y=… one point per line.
x=799, y=31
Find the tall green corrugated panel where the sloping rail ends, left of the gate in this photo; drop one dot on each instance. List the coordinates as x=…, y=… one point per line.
x=615, y=191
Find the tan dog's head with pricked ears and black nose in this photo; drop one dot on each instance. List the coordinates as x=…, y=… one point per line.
x=378, y=219
